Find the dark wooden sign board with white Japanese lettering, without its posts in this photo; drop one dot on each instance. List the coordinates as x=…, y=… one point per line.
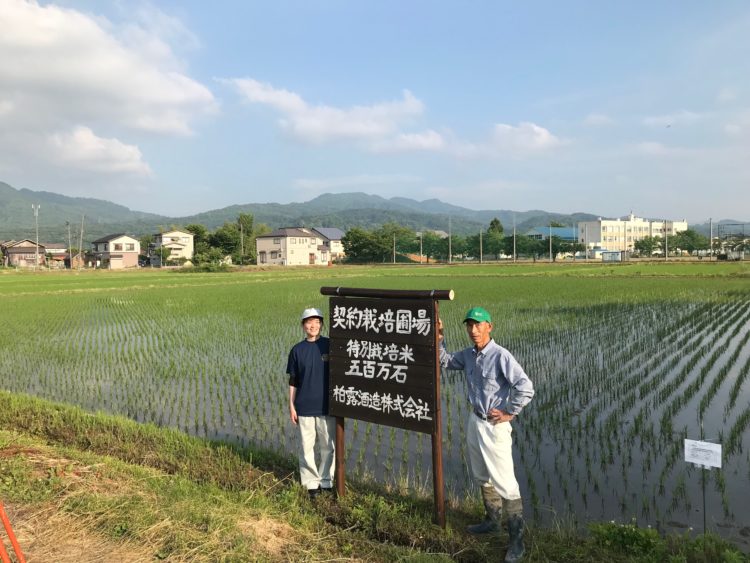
x=383, y=361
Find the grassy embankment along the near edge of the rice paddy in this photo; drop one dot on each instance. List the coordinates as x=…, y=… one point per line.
x=85, y=487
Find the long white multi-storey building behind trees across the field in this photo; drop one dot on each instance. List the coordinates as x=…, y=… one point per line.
x=622, y=233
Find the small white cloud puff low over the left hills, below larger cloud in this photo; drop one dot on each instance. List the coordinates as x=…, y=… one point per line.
x=81, y=149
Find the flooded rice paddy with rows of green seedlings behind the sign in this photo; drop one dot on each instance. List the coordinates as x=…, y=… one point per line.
x=627, y=361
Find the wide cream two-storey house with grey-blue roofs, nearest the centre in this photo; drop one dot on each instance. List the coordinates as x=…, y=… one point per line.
x=297, y=246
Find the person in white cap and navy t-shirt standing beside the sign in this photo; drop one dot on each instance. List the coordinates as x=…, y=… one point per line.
x=307, y=368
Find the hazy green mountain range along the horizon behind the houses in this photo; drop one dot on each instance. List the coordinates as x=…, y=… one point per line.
x=58, y=213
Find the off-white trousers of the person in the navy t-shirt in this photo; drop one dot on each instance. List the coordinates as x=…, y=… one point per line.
x=320, y=429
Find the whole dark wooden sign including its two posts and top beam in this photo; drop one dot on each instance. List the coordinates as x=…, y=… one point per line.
x=385, y=369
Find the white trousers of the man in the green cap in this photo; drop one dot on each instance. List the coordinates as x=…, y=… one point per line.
x=491, y=457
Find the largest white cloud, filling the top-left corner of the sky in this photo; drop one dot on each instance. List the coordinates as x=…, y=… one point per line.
x=65, y=66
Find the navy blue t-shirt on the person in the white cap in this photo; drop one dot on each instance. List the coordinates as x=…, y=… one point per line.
x=308, y=372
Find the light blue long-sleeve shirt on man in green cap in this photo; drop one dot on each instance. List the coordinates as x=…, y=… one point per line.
x=495, y=379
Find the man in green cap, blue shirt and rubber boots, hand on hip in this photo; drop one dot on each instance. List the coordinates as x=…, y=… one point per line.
x=498, y=390
